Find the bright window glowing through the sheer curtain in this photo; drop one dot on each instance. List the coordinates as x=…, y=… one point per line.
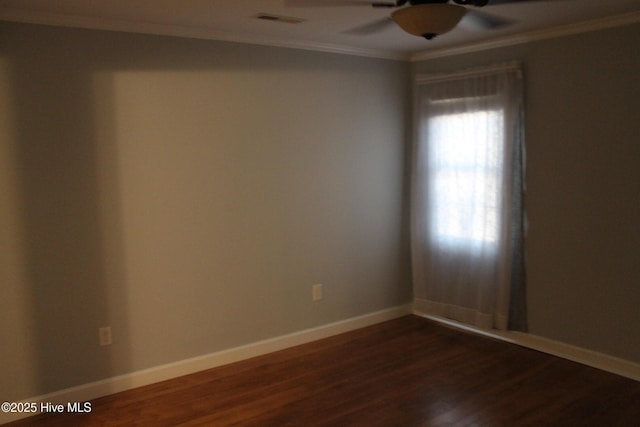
x=465, y=157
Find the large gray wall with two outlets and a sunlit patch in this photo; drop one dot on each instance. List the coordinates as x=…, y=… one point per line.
x=188, y=193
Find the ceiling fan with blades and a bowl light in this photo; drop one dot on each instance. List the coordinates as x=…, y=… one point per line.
x=423, y=18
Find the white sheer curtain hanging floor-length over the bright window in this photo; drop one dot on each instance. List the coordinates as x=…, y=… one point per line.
x=467, y=214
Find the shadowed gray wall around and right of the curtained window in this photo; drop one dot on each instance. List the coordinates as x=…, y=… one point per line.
x=583, y=178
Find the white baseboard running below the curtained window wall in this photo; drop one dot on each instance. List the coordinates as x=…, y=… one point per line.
x=581, y=355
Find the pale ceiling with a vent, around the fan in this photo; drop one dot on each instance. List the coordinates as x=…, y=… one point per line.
x=324, y=28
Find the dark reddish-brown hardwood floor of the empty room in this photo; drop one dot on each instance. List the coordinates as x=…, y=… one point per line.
x=406, y=372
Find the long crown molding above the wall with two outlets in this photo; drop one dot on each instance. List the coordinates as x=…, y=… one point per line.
x=95, y=23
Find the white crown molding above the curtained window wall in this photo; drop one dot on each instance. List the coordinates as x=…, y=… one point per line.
x=532, y=36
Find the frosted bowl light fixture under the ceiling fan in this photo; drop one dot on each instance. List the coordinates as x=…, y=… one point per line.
x=428, y=20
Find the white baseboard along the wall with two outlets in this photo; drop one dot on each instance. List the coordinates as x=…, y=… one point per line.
x=120, y=383
